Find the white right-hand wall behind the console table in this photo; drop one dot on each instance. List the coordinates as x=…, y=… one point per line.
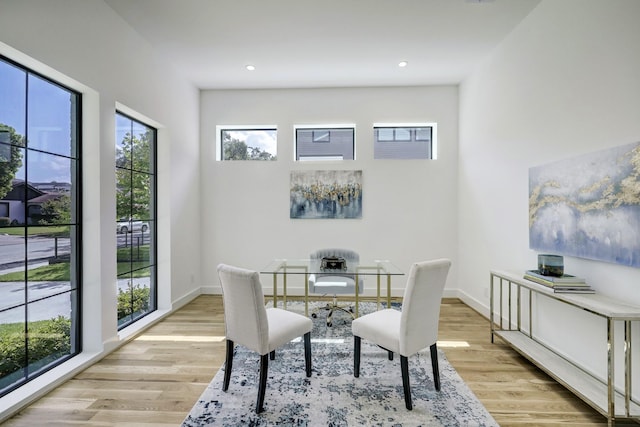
x=564, y=83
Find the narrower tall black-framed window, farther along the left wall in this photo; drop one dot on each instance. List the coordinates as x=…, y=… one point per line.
x=136, y=219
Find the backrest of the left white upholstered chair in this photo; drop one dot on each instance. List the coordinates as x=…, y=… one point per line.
x=245, y=315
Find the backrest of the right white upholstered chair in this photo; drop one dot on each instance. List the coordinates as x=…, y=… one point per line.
x=421, y=305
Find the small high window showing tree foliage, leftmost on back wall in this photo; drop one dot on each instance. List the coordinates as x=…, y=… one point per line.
x=247, y=143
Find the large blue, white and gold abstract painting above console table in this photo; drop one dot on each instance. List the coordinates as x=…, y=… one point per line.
x=588, y=206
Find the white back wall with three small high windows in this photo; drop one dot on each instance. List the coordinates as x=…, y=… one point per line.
x=409, y=207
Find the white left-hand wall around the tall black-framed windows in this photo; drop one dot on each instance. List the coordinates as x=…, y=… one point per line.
x=85, y=45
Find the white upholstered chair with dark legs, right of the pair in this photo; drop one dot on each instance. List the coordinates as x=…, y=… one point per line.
x=413, y=328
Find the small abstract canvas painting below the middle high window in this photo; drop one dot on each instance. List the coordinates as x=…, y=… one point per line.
x=325, y=194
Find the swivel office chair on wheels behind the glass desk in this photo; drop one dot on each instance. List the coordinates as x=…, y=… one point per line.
x=334, y=282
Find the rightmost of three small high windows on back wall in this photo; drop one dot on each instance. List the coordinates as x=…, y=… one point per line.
x=404, y=141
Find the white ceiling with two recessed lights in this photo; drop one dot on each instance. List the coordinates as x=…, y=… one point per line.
x=323, y=43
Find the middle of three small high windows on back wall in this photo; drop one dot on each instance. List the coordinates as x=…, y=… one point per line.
x=325, y=143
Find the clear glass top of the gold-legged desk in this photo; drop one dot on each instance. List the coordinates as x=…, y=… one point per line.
x=309, y=266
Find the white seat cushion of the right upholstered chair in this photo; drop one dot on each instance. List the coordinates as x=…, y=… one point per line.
x=380, y=327
